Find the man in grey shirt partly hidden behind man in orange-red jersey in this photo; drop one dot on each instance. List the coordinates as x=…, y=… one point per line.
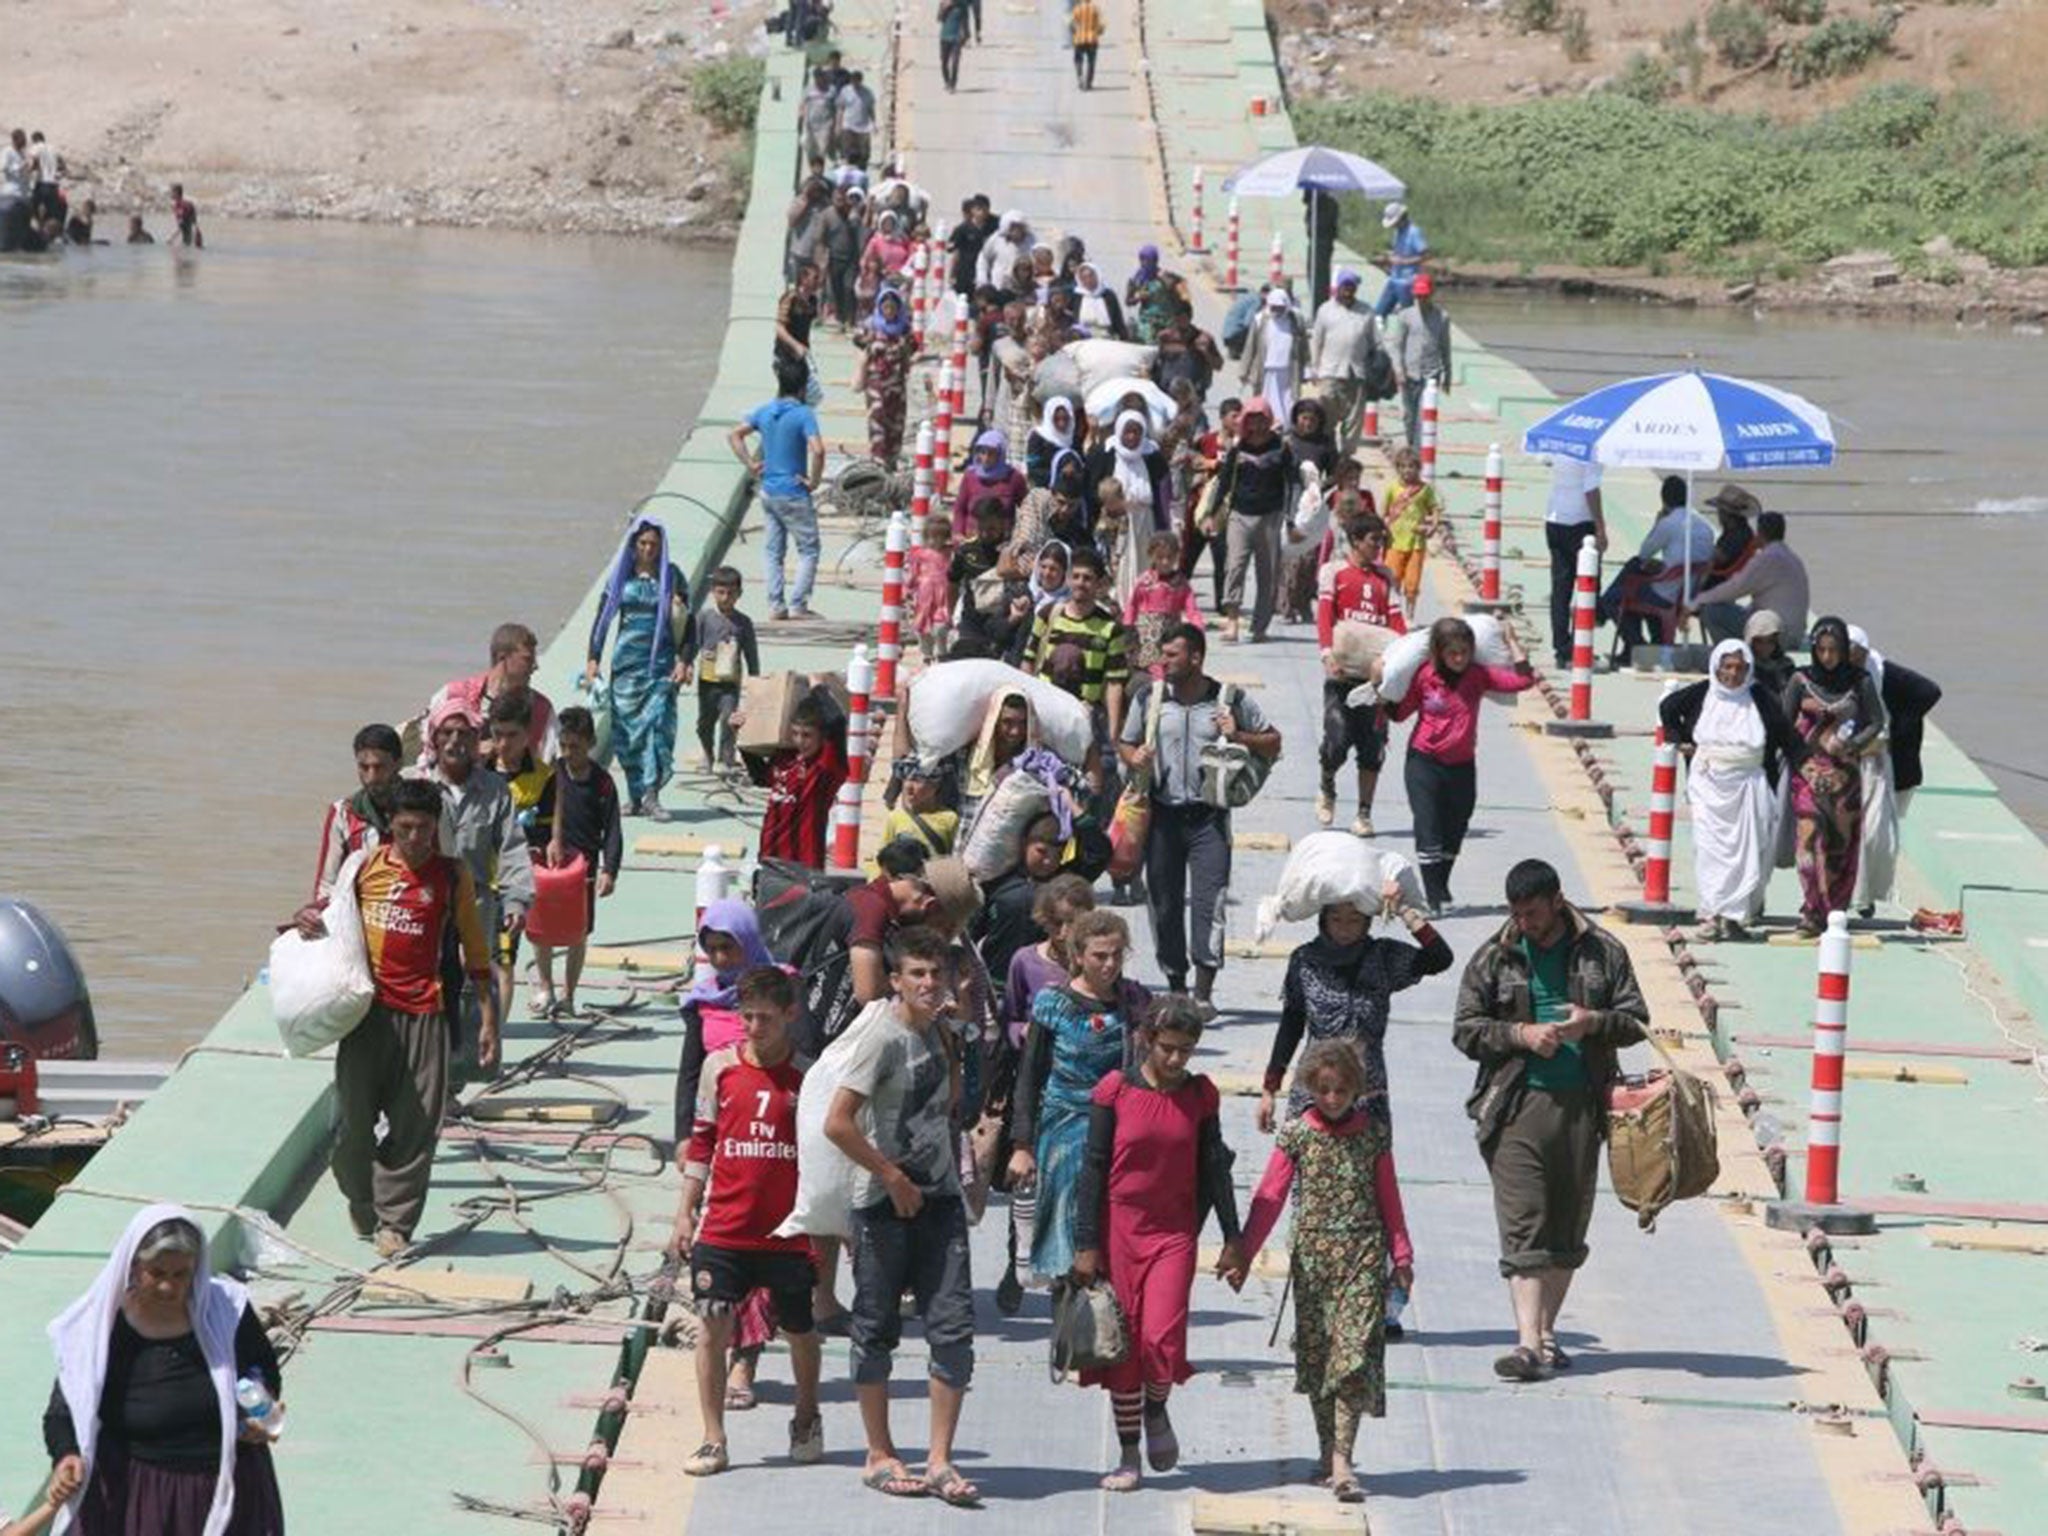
x=480, y=828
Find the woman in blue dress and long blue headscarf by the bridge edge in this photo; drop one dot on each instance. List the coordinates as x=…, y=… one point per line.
x=650, y=601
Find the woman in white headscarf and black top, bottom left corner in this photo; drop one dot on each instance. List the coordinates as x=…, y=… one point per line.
x=144, y=1410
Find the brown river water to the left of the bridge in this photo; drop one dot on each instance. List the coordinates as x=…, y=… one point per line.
x=261, y=495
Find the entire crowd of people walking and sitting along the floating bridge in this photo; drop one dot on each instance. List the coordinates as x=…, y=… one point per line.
x=972, y=1000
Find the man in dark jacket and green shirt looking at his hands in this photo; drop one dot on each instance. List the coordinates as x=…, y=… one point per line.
x=1545, y=1009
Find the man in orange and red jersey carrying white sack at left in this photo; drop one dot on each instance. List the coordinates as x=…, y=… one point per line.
x=396, y=1062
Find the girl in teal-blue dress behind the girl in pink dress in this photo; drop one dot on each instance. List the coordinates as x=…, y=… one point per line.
x=1078, y=1037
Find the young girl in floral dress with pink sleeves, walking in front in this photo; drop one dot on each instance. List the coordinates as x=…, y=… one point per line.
x=1349, y=1224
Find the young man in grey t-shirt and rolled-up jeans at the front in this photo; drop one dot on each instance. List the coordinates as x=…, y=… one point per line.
x=892, y=1117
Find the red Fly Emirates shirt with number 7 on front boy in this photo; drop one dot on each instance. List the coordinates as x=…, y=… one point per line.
x=746, y=1142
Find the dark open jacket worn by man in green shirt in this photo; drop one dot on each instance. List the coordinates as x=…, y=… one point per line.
x=1496, y=996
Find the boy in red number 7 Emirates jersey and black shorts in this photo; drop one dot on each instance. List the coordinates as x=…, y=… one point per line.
x=744, y=1152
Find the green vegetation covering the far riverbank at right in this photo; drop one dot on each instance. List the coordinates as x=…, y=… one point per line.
x=1635, y=181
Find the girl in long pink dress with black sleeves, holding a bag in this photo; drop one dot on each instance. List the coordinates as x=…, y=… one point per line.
x=1154, y=1168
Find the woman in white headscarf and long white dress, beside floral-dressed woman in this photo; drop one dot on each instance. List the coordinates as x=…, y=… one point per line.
x=1736, y=740
